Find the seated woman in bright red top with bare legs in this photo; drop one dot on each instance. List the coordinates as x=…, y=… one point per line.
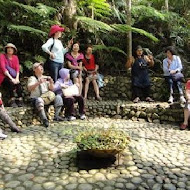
x=90, y=68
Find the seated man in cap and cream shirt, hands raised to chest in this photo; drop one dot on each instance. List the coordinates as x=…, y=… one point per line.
x=39, y=85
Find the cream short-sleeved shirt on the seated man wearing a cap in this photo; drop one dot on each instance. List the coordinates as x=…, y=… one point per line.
x=37, y=92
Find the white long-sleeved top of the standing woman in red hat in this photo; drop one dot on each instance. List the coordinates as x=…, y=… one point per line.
x=58, y=49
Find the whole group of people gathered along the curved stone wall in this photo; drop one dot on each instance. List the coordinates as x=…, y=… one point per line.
x=66, y=67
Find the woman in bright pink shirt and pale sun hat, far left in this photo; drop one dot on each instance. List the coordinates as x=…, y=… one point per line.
x=9, y=74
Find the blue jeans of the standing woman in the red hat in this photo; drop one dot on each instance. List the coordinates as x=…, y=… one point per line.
x=54, y=68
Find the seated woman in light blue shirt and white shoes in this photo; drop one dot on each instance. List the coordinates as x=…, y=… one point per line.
x=172, y=69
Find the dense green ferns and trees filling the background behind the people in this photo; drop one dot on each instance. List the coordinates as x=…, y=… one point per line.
x=100, y=22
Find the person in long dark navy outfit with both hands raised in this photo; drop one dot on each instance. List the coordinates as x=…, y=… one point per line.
x=140, y=78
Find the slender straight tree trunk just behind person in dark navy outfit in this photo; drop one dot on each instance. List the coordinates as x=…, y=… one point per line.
x=129, y=34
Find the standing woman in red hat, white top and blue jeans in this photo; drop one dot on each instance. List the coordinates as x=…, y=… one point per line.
x=56, y=51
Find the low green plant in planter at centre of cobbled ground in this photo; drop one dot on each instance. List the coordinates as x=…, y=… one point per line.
x=102, y=140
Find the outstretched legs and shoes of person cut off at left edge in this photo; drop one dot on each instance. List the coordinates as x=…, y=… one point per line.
x=6, y=119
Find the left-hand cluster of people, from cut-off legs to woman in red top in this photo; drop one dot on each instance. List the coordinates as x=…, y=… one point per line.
x=45, y=90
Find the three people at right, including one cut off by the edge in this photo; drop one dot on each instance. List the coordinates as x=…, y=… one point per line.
x=172, y=68
